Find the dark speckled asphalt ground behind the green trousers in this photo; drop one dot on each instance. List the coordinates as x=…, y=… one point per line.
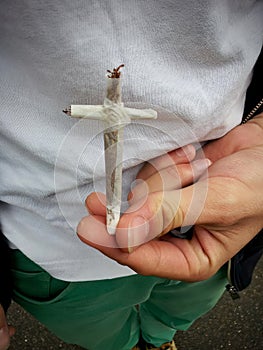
x=235, y=325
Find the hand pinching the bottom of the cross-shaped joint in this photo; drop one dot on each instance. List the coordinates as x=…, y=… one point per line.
x=231, y=216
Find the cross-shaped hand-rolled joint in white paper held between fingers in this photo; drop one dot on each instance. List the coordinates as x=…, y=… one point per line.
x=115, y=117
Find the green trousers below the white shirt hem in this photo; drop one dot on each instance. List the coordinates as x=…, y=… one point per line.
x=99, y=315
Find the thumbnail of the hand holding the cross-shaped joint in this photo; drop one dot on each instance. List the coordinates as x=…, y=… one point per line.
x=137, y=232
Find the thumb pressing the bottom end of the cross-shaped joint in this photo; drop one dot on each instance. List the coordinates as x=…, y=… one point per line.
x=159, y=213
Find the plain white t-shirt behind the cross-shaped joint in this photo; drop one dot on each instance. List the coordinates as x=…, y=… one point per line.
x=191, y=62
